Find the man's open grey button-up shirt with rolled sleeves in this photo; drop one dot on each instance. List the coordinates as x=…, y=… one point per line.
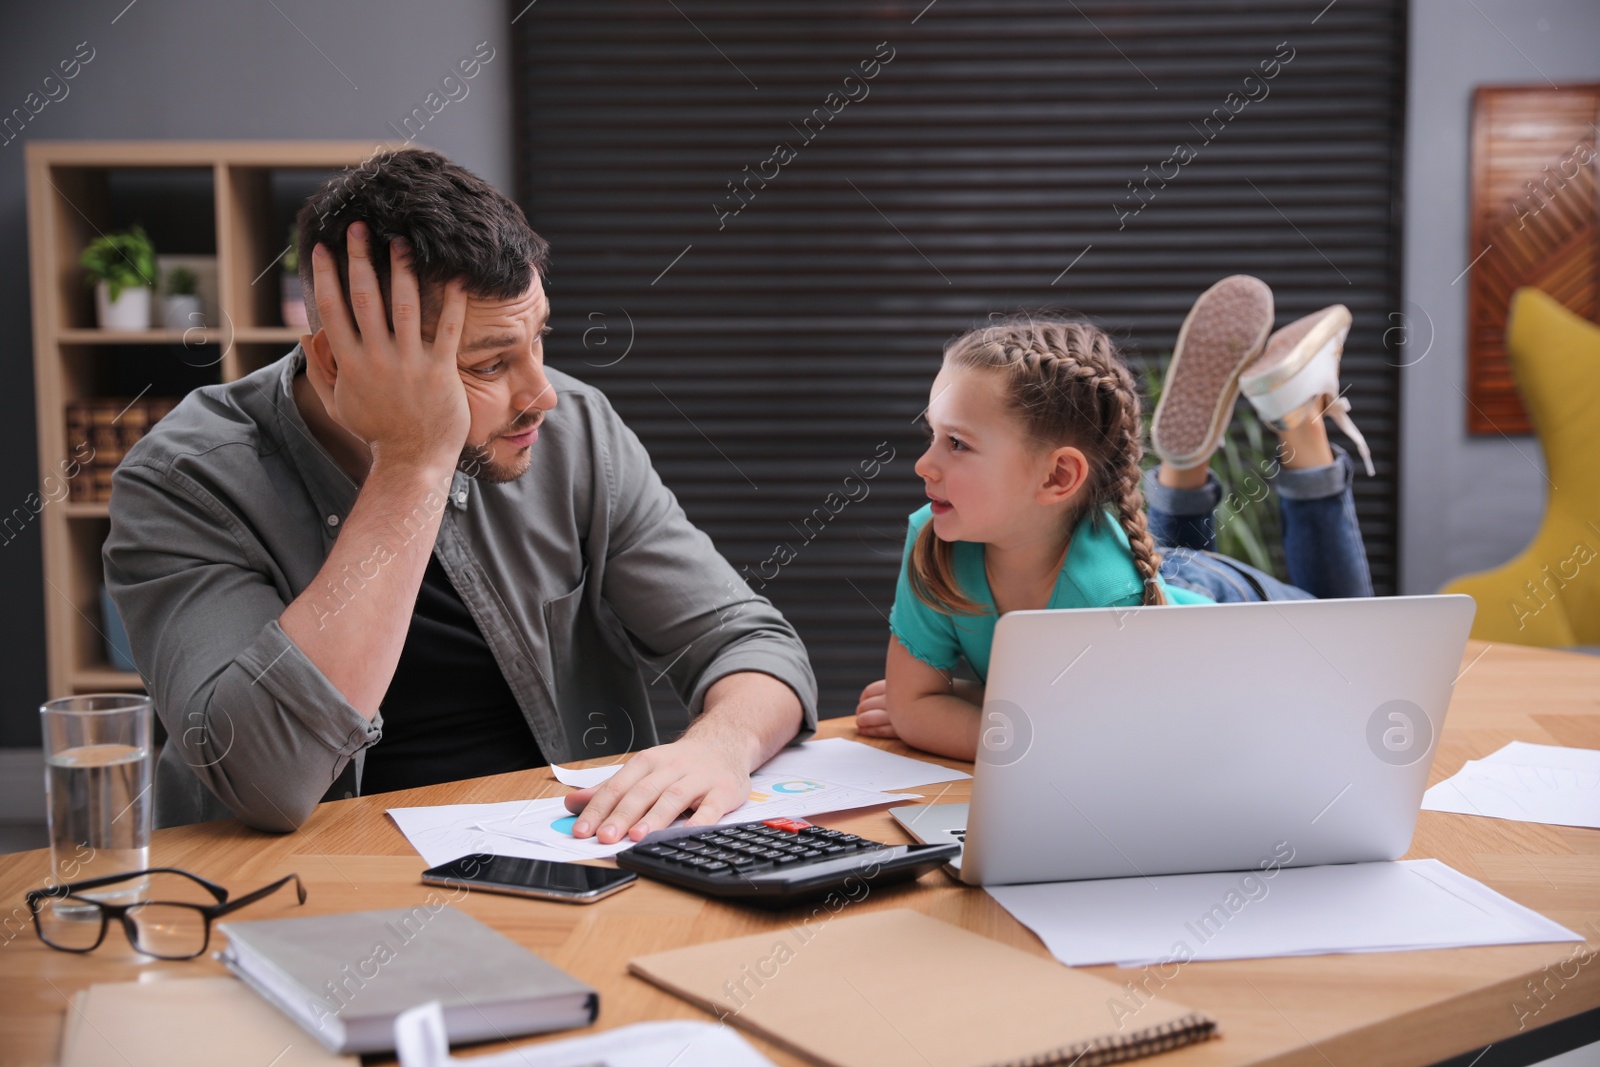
x=582, y=573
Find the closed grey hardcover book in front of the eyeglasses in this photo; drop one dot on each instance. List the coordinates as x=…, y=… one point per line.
x=345, y=978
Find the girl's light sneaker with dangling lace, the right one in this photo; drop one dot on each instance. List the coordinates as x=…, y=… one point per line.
x=1298, y=377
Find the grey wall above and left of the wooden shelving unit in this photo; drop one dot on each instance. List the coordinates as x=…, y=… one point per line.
x=198, y=70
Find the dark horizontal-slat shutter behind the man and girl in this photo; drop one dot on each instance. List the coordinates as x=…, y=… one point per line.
x=764, y=356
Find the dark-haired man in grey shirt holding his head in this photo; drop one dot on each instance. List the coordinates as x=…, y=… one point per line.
x=409, y=553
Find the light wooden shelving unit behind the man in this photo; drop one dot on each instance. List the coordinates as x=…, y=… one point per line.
x=71, y=199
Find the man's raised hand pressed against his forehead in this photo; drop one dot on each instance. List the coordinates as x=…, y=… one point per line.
x=396, y=393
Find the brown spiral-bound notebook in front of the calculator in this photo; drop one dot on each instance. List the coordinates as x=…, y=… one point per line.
x=898, y=989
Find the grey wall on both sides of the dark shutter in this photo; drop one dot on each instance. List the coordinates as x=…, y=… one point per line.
x=196, y=70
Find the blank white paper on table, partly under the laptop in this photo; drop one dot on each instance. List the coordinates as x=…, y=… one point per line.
x=1290, y=911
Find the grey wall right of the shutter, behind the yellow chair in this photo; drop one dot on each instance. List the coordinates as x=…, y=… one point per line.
x=1466, y=505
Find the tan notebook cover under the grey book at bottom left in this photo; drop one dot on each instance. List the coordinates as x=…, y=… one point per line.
x=185, y=1023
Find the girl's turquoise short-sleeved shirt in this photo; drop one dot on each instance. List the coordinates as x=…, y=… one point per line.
x=1098, y=573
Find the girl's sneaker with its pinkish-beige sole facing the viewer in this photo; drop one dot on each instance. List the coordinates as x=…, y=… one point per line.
x=1223, y=334
